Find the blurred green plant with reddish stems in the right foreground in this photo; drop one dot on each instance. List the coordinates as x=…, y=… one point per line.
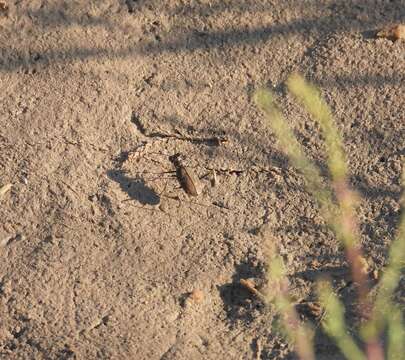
x=338, y=207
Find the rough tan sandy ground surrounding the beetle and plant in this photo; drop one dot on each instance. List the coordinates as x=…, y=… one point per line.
x=99, y=245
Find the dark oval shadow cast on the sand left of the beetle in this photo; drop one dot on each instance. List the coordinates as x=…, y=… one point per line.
x=135, y=188
